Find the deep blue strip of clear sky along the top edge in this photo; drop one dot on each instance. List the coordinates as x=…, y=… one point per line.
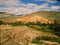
x=39, y=2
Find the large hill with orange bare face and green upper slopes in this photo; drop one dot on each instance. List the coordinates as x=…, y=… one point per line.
x=41, y=16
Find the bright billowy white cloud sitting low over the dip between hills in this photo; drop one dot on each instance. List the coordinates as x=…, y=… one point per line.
x=21, y=11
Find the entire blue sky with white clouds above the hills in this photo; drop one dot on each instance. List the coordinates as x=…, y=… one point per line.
x=19, y=7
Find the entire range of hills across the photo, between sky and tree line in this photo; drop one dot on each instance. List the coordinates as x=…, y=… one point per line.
x=41, y=16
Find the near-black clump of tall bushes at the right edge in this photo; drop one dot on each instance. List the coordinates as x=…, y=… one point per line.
x=55, y=27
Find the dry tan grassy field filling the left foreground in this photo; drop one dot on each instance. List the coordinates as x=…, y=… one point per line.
x=19, y=35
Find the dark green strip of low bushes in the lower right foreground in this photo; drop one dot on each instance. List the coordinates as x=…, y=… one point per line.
x=47, y=38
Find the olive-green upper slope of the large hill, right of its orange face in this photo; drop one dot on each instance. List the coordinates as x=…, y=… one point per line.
x=51, y=15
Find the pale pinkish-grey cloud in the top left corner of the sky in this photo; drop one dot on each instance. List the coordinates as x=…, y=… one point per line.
x=10, y=3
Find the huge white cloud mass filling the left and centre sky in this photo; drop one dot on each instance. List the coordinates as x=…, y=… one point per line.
x=23, y=9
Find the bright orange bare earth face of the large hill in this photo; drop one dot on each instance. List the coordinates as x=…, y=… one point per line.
x=34, y=18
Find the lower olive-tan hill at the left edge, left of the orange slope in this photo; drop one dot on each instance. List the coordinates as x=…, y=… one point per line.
x=7, y=16
